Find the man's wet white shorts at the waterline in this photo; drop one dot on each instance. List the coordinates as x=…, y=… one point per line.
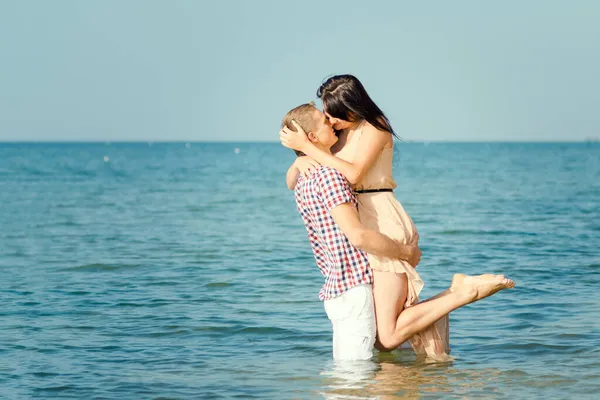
x=353, y=318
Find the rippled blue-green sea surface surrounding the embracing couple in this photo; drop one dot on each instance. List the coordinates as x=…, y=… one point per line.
x=183, y=271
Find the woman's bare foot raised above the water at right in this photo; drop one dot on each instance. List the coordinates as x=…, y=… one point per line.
x=479, y=287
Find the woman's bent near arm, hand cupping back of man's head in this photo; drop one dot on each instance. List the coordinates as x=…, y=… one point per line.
x=371, y=144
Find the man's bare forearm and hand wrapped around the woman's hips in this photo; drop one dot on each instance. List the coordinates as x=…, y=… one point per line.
x=371, y=241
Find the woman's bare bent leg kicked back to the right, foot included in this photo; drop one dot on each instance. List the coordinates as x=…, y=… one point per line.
x=464, y=290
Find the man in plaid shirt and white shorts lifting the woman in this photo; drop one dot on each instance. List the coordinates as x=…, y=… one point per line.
x=339, y=242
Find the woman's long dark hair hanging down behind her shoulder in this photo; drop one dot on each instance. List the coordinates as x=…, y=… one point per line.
x=344, y=97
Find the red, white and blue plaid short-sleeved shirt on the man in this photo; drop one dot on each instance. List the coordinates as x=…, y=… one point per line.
x=343, y=265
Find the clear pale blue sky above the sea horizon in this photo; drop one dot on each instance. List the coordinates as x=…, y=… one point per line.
x=229, y=70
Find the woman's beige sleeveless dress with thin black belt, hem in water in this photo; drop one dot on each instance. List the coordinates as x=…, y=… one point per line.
x=382, y=212
